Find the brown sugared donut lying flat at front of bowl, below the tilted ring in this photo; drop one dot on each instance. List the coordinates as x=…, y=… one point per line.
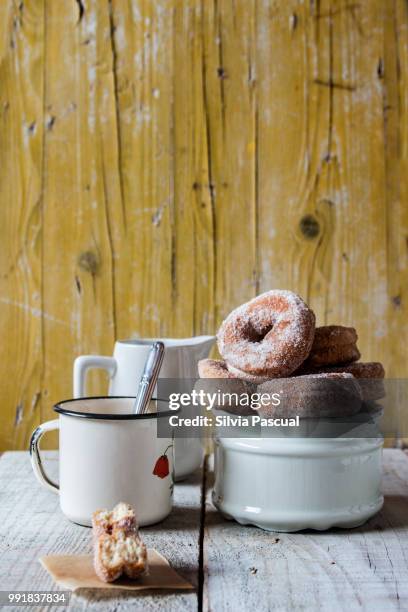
x=313, y=396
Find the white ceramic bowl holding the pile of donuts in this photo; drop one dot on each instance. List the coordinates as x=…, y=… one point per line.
x=289, y=484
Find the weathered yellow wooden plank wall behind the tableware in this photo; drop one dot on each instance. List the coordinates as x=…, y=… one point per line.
x=163, y=161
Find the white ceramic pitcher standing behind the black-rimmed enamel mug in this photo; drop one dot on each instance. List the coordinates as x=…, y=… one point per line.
x=125, y=369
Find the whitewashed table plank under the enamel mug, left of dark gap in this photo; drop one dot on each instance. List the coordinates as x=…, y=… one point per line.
x=31, y=525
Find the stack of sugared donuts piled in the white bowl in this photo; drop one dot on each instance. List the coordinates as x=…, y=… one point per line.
x=273, y=337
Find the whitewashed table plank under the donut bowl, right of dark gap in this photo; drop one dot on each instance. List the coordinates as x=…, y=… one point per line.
x=363, y=568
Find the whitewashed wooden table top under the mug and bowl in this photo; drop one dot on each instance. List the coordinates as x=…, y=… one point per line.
x=233, y=567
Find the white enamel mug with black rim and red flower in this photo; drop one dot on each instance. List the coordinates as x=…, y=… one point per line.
x=108, y=455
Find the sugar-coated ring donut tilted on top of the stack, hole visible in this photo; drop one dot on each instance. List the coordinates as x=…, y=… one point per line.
x=271, y=335
